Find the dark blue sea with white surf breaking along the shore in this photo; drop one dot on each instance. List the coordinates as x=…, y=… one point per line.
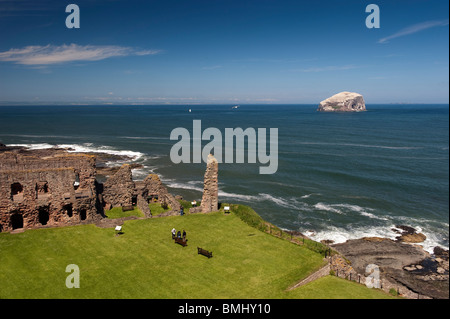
x=340, y=176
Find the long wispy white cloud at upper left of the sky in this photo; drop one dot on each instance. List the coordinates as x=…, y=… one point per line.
x=52, y=54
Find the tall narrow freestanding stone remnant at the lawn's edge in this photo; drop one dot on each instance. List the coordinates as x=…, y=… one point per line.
x=210, y=199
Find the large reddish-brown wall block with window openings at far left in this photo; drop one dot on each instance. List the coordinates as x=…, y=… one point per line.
x=54, y=191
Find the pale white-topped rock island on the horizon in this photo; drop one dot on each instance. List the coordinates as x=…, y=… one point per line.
x=343, y=102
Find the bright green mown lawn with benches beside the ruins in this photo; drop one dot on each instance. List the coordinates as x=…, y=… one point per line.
x=144, y=262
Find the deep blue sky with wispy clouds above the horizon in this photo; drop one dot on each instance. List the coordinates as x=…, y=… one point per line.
x=222, y=51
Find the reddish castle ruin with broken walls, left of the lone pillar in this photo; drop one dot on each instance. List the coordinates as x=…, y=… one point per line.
x=55, y=188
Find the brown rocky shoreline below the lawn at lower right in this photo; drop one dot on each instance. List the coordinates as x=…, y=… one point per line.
x=404, y=266
